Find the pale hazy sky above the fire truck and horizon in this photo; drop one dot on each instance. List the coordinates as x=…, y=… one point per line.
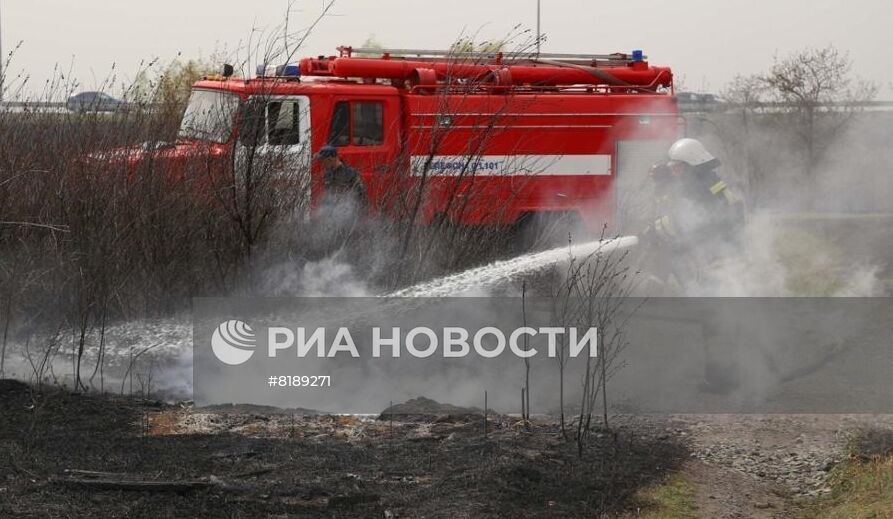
x=706, y=42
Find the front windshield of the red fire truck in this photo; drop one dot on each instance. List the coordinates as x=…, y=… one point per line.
x=209, y=116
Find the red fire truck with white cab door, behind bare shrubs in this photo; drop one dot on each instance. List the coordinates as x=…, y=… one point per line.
x=474, y=138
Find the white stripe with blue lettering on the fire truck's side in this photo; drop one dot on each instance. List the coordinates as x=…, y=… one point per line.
x=507, y=165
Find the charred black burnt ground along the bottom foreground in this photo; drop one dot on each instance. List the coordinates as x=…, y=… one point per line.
x=452, y=472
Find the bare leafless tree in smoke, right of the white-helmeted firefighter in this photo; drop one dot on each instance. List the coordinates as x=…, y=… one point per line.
x=803, y=104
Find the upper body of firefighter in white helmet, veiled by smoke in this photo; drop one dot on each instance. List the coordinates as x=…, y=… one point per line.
x=698, y=220
